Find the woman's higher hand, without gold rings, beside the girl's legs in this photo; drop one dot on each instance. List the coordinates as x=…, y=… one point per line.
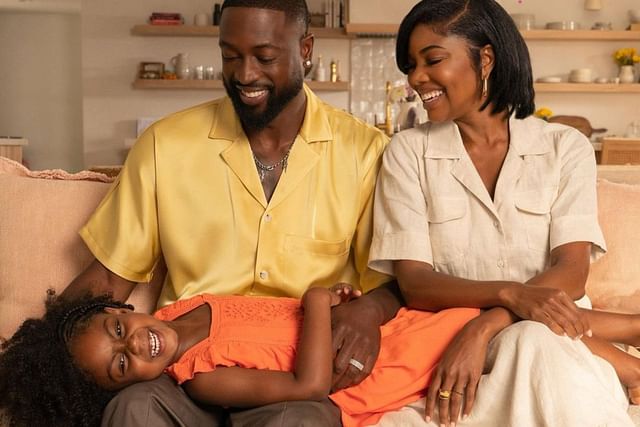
x=550, y=306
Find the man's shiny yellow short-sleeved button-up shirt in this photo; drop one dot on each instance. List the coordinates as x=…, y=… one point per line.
x=190, y=191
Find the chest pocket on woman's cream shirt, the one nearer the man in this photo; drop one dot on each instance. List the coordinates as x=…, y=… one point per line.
x=448, y=231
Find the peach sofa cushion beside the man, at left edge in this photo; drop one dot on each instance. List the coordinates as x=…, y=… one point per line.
x=40, y=249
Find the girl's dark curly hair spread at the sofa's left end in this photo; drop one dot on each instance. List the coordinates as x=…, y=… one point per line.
x=39, y=383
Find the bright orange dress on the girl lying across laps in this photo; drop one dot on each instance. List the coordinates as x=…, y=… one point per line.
x=262, y=333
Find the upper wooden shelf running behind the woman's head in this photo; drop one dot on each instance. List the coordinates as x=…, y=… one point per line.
x=390, y=30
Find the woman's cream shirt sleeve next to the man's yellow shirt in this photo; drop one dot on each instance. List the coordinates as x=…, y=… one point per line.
x=400, y=229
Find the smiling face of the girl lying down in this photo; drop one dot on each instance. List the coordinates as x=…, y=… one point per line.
x=120, y=347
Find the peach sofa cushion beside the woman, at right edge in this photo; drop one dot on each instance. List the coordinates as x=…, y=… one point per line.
x=614, y=280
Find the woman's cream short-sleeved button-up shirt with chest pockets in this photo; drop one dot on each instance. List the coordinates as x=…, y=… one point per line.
x=432, y=206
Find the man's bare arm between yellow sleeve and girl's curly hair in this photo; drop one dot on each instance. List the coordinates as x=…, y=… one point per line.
x=97, y=280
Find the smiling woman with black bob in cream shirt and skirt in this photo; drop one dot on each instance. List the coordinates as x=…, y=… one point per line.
x=485, y=206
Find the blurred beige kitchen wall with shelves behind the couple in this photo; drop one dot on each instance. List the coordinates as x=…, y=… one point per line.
x=67, y=69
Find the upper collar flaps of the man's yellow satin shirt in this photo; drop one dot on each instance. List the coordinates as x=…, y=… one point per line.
x=315, y=126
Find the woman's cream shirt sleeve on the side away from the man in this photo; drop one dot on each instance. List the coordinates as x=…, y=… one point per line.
x=574, y=213
